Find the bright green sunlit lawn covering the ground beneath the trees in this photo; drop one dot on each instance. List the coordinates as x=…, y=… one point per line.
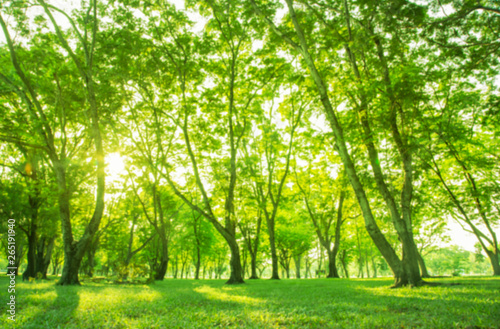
x=318, y=303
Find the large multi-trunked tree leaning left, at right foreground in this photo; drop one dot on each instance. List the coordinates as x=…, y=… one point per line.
x=406, y=271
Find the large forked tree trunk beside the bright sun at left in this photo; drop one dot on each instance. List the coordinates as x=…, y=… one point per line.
x=55, y=147
